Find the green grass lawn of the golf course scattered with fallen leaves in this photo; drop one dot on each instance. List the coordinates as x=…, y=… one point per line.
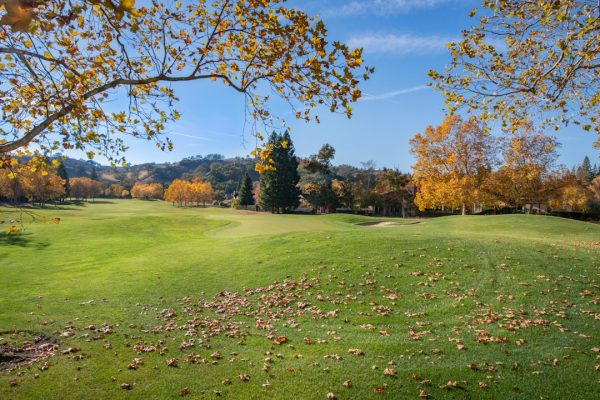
x=122, y=263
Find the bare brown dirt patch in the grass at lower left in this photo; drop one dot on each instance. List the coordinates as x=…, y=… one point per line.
x=20, y=348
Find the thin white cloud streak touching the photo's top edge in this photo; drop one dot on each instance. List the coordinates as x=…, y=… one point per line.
x=382, y=7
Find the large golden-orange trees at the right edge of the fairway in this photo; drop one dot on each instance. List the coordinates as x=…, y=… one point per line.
x=462, y=167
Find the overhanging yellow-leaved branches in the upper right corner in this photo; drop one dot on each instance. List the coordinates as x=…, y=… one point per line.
x=526, y=59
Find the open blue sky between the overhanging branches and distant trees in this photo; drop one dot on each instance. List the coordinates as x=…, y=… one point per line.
x=402, y=39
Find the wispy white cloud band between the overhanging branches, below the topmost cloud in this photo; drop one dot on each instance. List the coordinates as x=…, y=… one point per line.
x=400, y=44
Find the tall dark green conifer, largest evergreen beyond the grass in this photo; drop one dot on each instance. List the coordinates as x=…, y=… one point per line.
x=278, y=187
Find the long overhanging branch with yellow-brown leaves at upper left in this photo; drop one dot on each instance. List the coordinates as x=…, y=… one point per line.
x=61, y=65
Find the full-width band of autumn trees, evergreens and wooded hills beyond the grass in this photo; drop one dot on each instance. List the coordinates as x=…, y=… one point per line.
x=460, y=168
